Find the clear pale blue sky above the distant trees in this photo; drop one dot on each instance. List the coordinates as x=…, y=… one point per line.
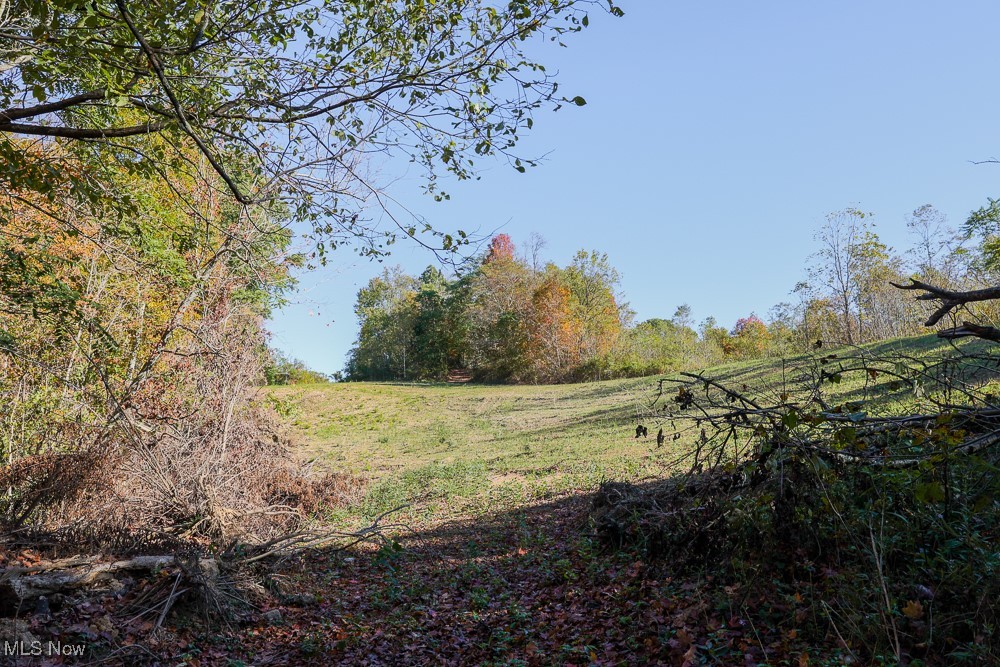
x=717, y=135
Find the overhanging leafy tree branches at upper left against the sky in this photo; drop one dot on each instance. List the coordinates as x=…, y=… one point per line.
x=286, y=100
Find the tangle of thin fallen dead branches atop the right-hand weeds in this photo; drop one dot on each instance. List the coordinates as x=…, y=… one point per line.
x=800, y=425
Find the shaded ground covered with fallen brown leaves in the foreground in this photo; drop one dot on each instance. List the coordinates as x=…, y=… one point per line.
x=526, y=587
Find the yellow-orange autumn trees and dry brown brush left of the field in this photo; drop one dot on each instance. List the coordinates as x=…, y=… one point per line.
x=129, y=398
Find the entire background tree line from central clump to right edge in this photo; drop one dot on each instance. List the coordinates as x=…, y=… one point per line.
x=510, y=318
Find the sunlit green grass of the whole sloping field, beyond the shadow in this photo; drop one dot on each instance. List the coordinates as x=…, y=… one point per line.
x=466, y=449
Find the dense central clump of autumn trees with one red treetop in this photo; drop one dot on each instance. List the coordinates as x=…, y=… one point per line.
x=508, y=319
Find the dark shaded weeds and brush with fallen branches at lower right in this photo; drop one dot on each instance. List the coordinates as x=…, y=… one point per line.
x=883, y=524
